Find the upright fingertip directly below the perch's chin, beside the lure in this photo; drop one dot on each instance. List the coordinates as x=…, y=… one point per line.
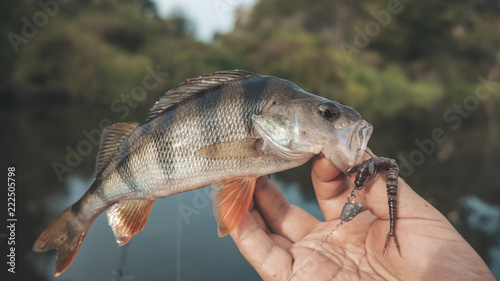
x=331, y=187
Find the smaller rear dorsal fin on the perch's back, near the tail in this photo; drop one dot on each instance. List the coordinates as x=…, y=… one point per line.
x=112, y=137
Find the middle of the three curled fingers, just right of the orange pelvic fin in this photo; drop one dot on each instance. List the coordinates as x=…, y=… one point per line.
x=280, y=216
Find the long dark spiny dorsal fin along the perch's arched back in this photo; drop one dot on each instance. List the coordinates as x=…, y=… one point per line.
x=195, y=85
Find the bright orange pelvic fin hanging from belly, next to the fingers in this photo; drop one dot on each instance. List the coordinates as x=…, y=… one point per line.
x=231, y=199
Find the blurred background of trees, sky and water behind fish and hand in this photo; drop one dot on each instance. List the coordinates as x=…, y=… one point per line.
x=425, y=73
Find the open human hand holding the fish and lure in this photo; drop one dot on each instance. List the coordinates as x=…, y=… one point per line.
x=276, y=237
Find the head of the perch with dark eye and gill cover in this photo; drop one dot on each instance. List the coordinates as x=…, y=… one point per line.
x=299, y=125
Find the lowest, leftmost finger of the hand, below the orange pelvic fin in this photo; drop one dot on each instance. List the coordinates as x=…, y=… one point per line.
x=262, y=252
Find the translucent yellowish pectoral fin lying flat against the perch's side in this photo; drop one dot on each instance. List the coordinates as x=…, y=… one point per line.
x=251, y=147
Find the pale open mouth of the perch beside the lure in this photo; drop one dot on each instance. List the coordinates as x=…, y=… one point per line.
x=354, y=140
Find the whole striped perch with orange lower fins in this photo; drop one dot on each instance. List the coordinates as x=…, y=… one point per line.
x=223, y=129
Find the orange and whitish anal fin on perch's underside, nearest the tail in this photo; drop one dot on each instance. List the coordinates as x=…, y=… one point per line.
x=126, y=218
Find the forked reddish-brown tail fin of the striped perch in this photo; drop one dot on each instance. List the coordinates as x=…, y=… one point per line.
x=66, y=235
